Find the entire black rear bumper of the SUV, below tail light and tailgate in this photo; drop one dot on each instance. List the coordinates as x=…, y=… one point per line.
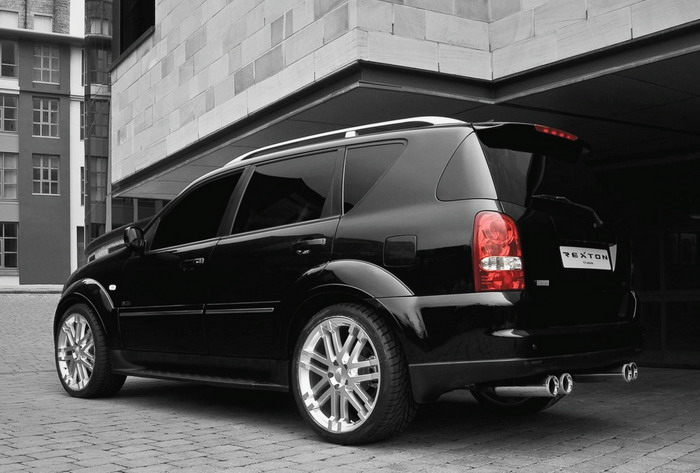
x=453, y=341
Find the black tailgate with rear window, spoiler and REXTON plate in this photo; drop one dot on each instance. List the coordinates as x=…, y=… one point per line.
x=576, y=255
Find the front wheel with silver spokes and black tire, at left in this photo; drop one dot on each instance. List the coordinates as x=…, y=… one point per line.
x=82, y=361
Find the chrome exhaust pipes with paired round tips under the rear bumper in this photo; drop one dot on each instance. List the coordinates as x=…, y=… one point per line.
x=553, y=386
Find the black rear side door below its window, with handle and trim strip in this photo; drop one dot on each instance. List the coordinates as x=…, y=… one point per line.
x=251, y=274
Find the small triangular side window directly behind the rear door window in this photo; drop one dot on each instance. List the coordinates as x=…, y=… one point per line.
x=363, y=168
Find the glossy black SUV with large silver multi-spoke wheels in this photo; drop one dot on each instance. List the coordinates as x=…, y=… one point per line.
x=366, y=271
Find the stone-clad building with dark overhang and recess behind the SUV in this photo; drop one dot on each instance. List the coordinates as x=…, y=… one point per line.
x=199, y=83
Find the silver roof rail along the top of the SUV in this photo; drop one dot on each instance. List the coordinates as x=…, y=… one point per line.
x=350, y=133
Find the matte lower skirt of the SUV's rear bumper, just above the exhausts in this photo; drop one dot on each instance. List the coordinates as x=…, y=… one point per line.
x=430, y=380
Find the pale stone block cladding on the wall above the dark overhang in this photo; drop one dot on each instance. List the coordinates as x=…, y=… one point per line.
x=210, y=64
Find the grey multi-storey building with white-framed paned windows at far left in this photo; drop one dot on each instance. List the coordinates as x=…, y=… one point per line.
x=40, y=150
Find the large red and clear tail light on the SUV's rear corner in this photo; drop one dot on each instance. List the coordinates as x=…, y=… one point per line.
x=497, y=253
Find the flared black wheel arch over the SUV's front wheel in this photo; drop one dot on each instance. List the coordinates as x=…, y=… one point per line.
x=91, y=292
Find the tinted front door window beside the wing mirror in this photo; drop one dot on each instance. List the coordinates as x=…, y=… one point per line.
x=197, y=215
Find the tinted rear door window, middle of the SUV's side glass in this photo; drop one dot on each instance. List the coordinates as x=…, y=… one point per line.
x=290, y=191
